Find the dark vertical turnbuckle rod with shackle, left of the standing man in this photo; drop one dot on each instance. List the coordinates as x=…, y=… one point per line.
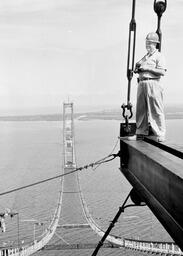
x=130, y=64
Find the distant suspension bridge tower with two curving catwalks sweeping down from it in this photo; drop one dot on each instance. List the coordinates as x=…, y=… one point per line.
x=72, y=229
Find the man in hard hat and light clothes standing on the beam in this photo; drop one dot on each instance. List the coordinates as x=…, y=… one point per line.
x=150, y=118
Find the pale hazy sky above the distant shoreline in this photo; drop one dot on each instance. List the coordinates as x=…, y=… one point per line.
x=53, y=51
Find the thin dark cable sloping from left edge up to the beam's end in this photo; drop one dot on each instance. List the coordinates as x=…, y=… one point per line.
x=101, y=161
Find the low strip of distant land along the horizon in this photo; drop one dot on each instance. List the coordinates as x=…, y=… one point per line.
x=171, y=112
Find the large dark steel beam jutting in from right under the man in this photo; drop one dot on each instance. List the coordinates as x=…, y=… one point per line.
x=157, y=175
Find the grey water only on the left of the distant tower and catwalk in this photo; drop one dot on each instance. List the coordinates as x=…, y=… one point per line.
x=29, y=152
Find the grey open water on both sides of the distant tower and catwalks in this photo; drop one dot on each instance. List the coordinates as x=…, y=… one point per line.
x=32, y=151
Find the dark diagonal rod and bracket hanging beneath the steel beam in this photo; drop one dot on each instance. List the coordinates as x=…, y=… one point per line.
x=137, y=201
